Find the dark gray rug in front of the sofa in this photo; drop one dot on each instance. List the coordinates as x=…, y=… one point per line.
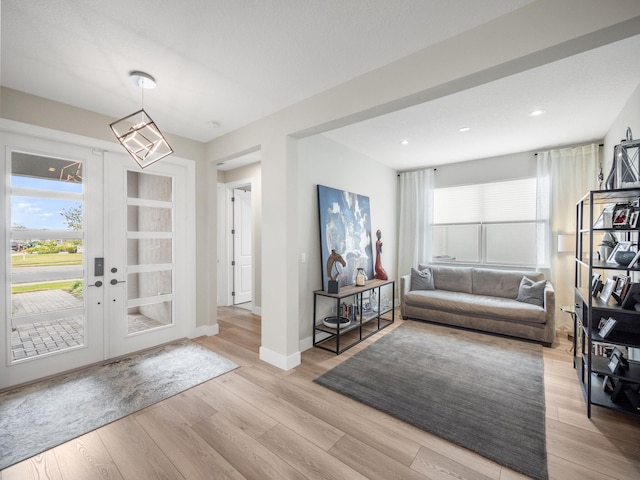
x=482, y=392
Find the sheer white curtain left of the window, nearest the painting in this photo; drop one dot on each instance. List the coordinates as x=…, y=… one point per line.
x=416, y=215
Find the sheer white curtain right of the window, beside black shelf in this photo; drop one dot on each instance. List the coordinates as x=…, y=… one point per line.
x=564, y=177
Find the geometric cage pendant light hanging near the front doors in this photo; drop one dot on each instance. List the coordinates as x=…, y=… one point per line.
x=138, y=133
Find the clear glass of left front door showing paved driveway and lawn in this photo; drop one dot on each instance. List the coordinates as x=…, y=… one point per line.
x=47, y=263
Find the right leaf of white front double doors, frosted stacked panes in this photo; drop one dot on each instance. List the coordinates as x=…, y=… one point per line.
x=146, y=259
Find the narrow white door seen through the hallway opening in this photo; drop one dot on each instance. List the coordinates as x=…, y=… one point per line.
x=242, y=244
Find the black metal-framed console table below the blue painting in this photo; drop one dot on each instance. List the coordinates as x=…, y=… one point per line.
x=344, y=319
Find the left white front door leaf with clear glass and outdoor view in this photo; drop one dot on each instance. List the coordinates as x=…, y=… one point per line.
x=51, y=197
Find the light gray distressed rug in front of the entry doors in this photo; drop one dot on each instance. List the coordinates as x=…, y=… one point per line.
x=37, y=417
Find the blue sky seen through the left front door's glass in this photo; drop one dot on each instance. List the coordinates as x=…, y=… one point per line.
x=41, y=213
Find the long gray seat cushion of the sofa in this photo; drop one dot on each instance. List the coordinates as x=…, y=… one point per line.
x=507, y=309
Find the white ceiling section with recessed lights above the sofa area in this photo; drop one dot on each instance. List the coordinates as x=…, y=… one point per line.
x=582, y=96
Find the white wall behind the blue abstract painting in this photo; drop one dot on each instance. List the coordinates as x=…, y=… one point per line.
x=325, y=162
